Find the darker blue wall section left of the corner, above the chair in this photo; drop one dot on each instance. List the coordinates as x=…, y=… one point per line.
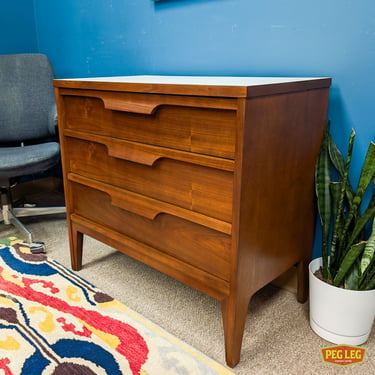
x=17, y=27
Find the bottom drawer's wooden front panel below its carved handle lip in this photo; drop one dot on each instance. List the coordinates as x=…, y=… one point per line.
x=192, y=243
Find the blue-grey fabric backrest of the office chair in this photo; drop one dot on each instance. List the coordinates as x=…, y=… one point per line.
x=27, y=101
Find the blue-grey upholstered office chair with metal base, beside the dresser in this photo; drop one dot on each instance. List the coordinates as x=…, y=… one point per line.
x=28, y=126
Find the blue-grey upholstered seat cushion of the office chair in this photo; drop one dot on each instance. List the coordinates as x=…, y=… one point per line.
x=22, y=161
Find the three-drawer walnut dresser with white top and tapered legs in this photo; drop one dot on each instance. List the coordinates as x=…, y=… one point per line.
x=207, y=179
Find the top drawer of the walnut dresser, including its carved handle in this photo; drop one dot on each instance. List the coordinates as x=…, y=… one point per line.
x=194, y=124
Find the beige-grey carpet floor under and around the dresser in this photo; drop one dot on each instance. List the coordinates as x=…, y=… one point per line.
x=278, y=339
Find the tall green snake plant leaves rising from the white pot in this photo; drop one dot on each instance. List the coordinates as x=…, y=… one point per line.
x=346, y=215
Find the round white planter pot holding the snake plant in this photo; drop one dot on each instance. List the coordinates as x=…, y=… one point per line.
x=338, y=315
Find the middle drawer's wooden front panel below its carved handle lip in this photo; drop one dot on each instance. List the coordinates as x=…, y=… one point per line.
x=192, y=186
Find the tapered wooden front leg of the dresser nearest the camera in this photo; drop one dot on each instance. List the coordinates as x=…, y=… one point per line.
x=234, y=311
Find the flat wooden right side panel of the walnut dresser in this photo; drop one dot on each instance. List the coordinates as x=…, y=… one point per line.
x=276, y=212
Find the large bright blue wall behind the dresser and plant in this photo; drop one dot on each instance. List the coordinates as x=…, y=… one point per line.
x=333, y=38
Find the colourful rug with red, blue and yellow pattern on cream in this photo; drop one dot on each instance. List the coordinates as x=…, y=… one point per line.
x=54, y=322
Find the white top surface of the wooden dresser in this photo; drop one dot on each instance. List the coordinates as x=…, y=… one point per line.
x=197, y=80
